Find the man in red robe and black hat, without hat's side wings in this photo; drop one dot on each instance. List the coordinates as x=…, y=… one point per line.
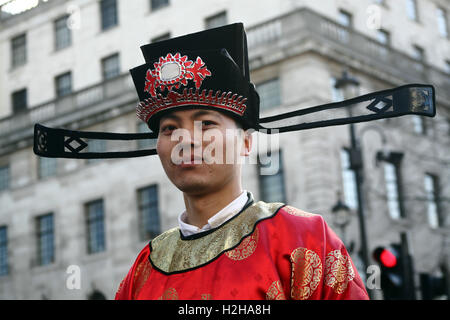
x=227, y=245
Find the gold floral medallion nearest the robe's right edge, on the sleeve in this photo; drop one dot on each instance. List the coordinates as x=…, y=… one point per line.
x=338, y=271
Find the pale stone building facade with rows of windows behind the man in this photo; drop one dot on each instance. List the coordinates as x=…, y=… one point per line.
x=72, y=60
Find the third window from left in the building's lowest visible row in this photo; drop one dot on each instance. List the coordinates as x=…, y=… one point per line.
x=95, y=227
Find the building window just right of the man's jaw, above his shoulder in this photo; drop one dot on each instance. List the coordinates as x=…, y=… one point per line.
x=271, y=177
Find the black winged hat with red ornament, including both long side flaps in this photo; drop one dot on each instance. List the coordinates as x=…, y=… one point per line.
x=210, y=69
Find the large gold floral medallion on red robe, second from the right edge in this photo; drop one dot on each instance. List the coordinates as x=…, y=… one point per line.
x=306, y=273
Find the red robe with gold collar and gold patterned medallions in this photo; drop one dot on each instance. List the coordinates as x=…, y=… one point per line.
x=267, y=251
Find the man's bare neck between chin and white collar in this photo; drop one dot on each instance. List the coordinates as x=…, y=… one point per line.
x=199, y=208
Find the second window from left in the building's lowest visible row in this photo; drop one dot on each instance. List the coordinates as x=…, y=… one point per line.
x=45, y=239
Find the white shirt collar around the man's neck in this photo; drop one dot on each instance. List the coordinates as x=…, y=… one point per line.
x=216, y=220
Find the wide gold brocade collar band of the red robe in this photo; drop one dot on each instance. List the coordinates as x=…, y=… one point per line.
x=170, y=253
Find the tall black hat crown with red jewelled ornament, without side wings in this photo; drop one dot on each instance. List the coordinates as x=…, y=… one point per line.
x=206, y=69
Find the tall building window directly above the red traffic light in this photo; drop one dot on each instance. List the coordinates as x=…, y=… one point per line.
x=392, y=181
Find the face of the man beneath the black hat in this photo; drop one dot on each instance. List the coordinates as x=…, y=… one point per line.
x=200, y=149
